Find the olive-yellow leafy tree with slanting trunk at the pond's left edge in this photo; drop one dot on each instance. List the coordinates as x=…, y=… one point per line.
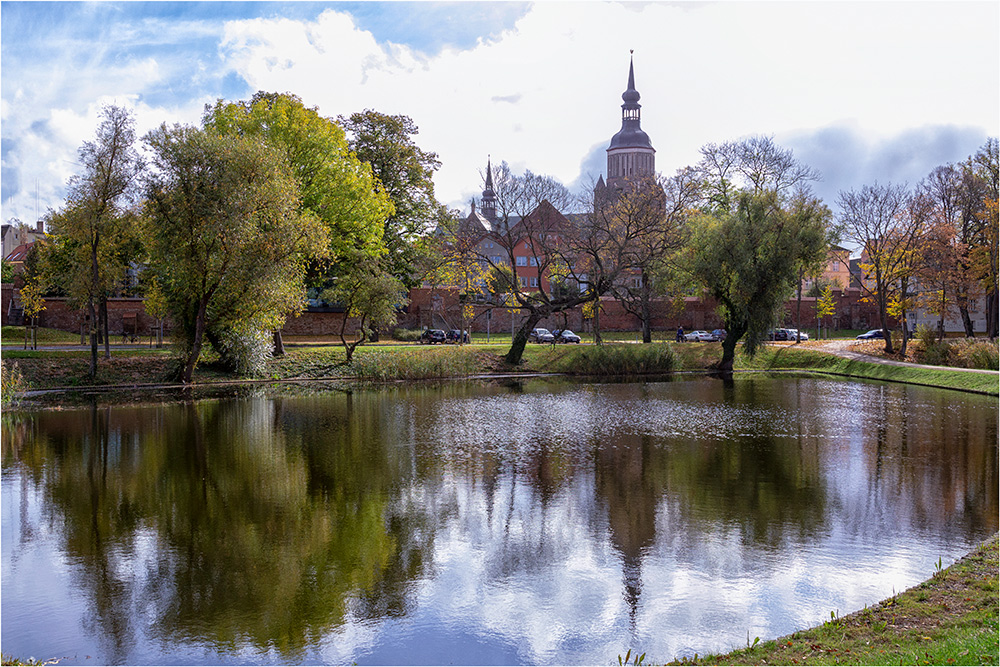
x=227, y=238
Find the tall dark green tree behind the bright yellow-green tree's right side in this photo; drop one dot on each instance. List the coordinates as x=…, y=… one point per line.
x=405, y=172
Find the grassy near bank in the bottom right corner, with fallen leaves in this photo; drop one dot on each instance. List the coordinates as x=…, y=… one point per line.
x=950, y=619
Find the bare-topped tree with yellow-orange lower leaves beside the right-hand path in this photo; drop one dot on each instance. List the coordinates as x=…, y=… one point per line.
x=880, y=219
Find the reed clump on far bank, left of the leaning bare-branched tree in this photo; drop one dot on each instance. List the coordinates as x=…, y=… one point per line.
x=418, y=364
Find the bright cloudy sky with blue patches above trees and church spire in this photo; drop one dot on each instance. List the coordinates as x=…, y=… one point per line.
x=860, y=91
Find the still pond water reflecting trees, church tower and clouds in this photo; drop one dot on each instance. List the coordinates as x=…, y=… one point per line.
x=535, y=522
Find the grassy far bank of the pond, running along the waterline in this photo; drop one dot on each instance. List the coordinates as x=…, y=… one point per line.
x=406, y=361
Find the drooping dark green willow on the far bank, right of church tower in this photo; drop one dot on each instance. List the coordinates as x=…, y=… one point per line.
x=746, y=259
